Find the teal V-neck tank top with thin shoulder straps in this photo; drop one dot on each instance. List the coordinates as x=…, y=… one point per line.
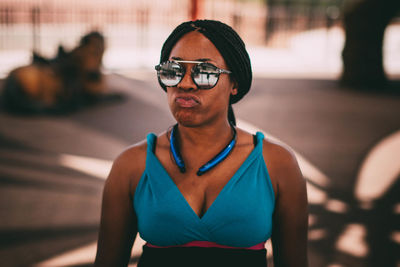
x=240, y=216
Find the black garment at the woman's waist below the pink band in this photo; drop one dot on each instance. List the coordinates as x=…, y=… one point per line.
x=200, y=256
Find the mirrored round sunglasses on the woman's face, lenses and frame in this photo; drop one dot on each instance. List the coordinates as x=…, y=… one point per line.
x=204, y=75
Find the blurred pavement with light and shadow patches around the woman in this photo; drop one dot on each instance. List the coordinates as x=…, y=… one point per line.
x=52, y=168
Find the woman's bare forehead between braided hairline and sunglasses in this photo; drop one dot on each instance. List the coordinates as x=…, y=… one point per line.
x=195, y=45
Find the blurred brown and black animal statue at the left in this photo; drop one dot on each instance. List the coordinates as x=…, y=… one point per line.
x=66, y=82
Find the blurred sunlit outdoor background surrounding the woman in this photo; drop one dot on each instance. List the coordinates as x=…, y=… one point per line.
x=78, y=85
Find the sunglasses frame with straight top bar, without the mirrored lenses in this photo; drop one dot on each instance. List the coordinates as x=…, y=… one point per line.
x=219, y=71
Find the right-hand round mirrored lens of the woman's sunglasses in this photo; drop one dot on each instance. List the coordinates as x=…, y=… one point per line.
x=205, y=75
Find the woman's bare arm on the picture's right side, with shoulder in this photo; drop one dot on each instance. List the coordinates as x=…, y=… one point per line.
x=290, y=221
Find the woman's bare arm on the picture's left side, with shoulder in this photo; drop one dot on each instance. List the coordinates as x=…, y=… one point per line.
x=118, y=226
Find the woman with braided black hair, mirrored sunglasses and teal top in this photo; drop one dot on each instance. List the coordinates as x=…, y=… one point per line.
x=191, y=210
